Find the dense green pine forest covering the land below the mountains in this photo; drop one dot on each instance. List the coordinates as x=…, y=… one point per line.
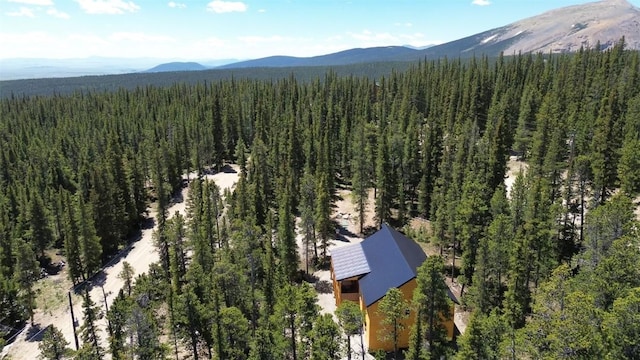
x=548, y=268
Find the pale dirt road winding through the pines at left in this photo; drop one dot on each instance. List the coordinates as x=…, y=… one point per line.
x=139, y=254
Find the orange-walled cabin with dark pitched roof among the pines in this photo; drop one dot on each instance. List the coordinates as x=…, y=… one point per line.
x=365, y=271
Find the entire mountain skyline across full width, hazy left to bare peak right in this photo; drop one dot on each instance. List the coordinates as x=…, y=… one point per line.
x=602, y=23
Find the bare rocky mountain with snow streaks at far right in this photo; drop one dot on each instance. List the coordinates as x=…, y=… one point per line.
x=561, y=30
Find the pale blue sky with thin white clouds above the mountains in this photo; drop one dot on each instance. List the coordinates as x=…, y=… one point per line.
x=205, y=30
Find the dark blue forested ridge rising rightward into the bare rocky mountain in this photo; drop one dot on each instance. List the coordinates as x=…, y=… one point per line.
x=566, y=29
